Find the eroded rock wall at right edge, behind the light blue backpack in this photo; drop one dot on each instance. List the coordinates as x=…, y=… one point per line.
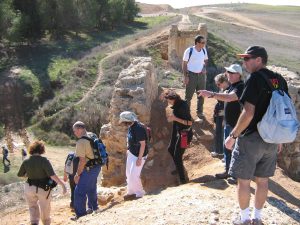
x=289, y=158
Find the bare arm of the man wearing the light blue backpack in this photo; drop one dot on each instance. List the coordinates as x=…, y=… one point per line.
x=242, y=123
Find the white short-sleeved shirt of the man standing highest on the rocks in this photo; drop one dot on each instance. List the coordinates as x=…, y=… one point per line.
x=196, y=62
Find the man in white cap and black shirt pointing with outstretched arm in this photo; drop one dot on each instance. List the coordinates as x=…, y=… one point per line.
x=232, y=108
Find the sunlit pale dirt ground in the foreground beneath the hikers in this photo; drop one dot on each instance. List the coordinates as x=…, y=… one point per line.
x=204, y=200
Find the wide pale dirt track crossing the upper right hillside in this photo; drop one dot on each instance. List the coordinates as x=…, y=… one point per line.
x=240, y=20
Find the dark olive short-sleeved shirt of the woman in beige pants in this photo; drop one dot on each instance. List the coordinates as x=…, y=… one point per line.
x=36, y=167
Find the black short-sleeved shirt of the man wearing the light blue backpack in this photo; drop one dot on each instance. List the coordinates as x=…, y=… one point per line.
x=258, y=93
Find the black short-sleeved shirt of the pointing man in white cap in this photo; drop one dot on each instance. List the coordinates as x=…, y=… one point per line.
x=233, y=109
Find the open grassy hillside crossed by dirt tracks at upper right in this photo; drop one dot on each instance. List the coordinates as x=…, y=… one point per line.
x=242, y=25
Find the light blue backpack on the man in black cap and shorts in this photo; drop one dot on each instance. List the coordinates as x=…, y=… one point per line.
x=279, y=124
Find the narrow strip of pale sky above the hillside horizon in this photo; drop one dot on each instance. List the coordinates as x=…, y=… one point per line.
x=186, y=3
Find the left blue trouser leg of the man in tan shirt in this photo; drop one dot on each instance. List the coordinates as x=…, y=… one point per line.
x=80, y=194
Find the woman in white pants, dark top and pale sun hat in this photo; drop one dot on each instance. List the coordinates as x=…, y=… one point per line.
x=136, y=154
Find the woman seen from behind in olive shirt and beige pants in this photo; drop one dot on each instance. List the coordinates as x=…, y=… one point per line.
x=41, y=179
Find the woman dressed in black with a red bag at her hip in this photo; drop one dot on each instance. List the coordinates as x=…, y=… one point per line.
x=182, y=132
